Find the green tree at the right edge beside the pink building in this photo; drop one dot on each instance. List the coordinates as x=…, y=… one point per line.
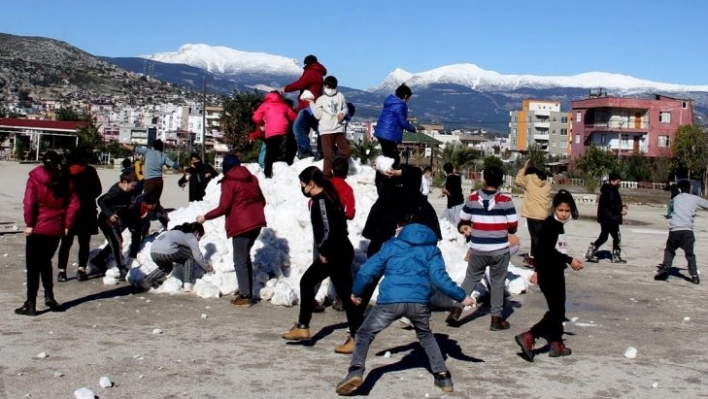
x=690, y=149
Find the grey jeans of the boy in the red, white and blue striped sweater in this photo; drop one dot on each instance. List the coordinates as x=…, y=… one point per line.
x=498, y=262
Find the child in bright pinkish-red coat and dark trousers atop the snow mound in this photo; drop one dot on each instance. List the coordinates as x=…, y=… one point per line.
x=277, y=116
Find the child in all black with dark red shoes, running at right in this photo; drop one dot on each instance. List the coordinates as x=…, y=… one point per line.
x=550, y=261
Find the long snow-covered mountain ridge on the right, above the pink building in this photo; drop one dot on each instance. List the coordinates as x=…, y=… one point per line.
x=476, y=78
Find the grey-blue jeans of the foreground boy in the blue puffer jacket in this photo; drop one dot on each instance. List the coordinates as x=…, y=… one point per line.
x=383, y=315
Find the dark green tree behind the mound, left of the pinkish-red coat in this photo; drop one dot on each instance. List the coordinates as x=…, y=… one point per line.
x=236, y=120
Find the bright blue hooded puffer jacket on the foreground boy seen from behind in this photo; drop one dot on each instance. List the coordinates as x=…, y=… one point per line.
x=411, y=264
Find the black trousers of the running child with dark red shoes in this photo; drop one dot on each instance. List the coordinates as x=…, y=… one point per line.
x=552, y=284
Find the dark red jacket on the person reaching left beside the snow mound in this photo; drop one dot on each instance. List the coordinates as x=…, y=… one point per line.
x=241, y=201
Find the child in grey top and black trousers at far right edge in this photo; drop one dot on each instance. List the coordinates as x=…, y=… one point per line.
x=681, y=232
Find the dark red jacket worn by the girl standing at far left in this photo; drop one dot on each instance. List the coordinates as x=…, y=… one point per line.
x=43, y=212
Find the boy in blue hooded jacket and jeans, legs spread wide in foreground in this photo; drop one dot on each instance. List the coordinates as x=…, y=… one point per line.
x=412, y=264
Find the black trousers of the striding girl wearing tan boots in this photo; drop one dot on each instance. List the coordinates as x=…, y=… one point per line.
x=338, y=269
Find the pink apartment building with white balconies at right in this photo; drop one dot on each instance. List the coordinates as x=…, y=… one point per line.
x=628, y=125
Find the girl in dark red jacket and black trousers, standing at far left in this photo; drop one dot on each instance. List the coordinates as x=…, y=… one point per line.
x=50, y=207
